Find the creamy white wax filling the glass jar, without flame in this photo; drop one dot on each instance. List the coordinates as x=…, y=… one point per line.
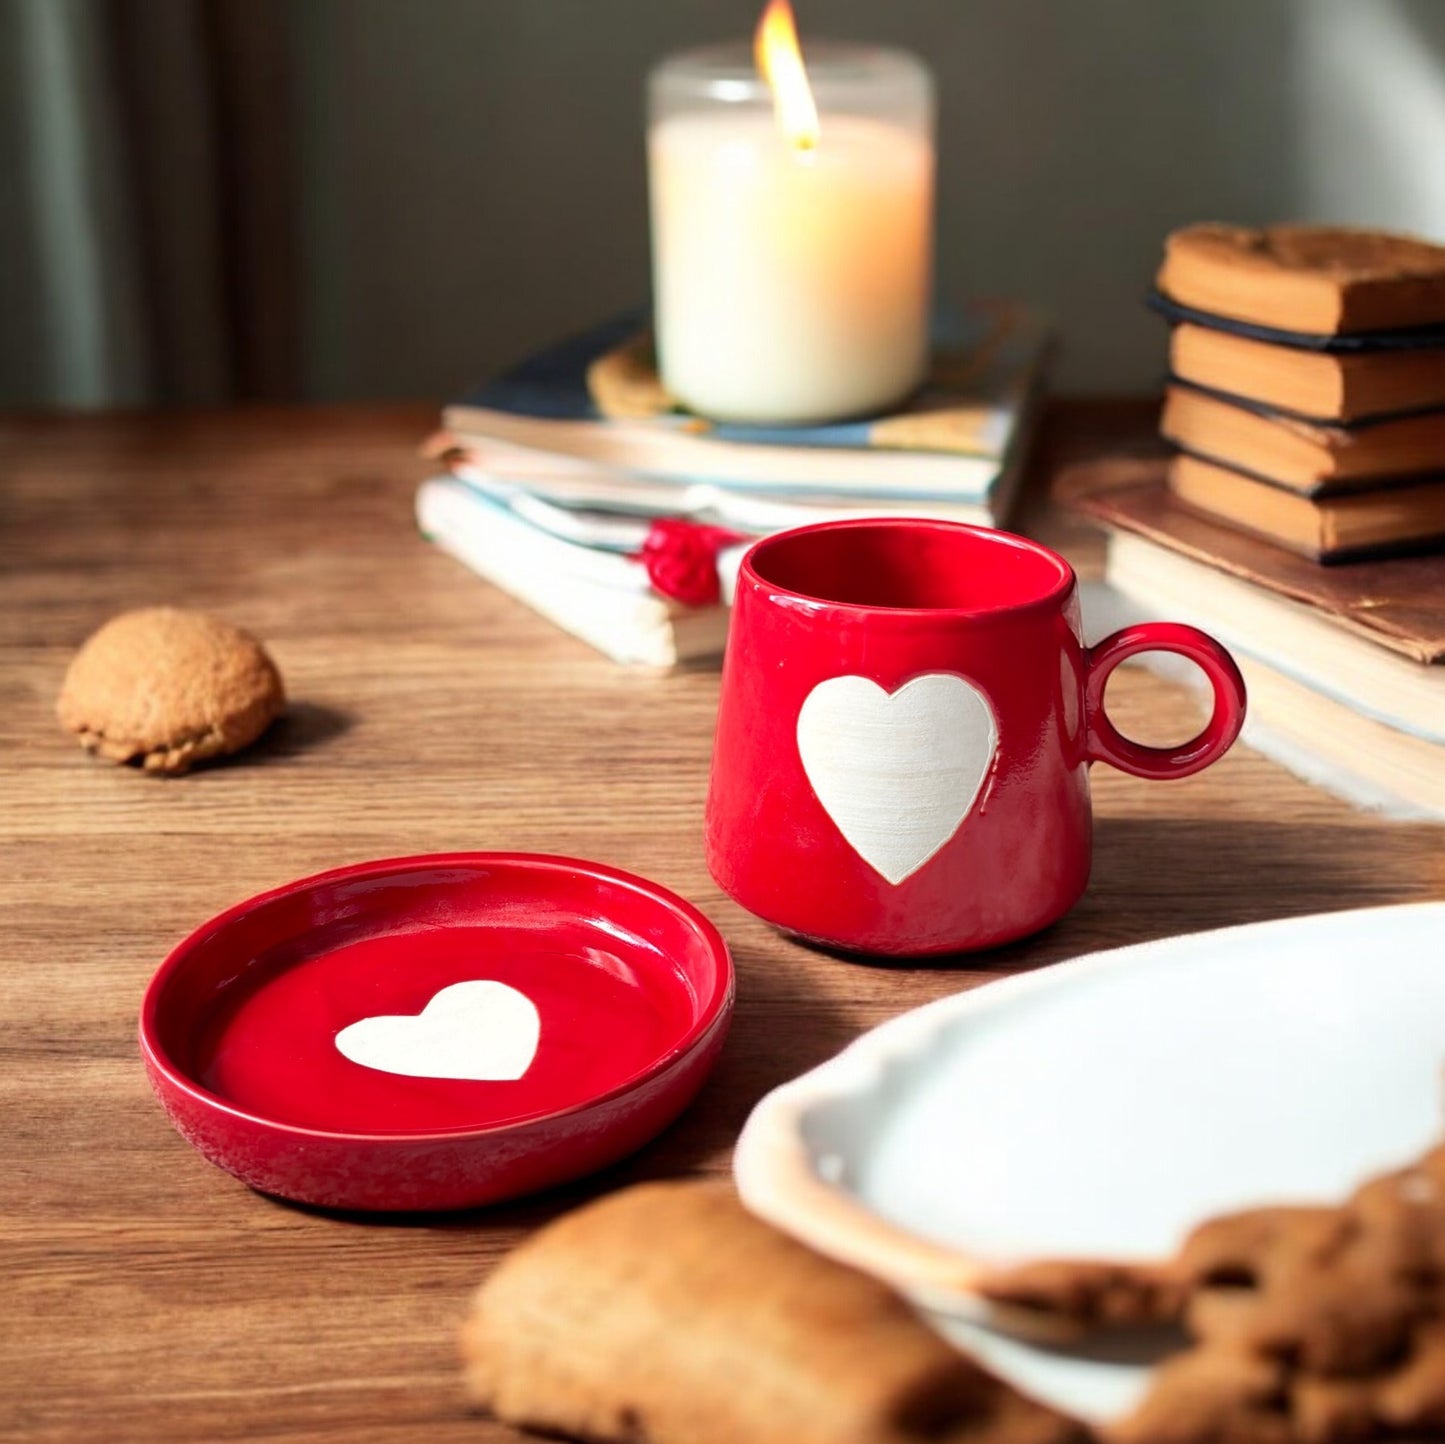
x=790, y=285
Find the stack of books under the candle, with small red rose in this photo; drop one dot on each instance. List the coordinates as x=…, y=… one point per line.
x=579, y=486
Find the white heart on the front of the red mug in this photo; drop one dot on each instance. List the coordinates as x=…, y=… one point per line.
x=898, y=773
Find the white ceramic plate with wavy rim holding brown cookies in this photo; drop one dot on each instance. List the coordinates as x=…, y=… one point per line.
x=1105, y=1106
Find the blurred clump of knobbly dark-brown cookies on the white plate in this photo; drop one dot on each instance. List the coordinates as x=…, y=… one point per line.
x=1313, y=1326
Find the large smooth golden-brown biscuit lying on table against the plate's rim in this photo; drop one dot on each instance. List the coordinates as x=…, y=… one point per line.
x=668, y=1313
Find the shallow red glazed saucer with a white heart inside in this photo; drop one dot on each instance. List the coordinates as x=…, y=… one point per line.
x=437, y=1033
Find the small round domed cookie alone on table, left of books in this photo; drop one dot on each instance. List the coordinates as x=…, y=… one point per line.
x=168, y=689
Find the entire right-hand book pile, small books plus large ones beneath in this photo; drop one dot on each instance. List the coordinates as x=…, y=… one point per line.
x=1306, y=424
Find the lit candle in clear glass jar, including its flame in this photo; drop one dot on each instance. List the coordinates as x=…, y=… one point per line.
x=791, y=228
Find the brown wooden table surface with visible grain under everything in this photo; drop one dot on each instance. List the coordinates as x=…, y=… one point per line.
x=150, y=1296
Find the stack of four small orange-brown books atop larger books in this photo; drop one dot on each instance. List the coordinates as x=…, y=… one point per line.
x=1307, y=394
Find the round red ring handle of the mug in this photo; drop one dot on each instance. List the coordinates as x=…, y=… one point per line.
x=1105, y=742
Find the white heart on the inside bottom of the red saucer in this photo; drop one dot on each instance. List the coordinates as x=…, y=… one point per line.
x=479, y=1031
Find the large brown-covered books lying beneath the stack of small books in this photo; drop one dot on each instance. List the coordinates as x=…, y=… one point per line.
x=1345, y=666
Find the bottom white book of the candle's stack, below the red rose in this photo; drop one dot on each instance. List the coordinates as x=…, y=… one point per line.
x=598, y=595
